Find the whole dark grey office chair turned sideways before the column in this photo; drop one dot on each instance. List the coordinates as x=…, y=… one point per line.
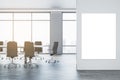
x=53, y=52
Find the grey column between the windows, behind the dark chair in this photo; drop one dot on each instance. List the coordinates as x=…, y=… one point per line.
x=56, y=29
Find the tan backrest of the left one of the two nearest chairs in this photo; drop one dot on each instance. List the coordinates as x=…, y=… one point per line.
x=12, y=49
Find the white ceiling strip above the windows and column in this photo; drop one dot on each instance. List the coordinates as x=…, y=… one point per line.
x=52, y=4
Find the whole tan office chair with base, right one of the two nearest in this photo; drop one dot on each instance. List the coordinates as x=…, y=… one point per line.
x=29, y=53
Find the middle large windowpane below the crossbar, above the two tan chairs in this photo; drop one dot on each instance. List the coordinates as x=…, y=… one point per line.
x=22, y=31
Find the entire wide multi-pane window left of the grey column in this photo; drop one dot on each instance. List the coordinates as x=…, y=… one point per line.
x=22, y=27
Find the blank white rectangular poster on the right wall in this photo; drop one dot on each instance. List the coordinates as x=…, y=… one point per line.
x=98, y=36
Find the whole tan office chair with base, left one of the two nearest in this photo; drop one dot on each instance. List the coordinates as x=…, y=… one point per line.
x=12, y=53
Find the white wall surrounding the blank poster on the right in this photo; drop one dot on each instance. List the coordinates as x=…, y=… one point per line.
x=98, y=6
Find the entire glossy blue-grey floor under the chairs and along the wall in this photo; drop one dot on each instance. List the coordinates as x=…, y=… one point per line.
x=65, y=69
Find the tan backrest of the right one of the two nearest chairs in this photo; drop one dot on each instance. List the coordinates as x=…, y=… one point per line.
x=29, y=49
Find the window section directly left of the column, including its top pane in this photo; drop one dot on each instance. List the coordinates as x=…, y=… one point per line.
x=41, y=29
